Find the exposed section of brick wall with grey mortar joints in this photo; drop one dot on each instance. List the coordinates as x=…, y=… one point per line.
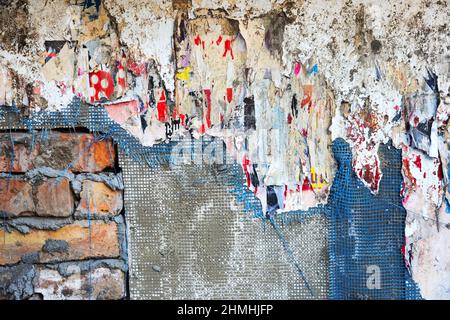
x=62, y=232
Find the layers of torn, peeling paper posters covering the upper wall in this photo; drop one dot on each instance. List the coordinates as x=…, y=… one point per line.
x=277, y=81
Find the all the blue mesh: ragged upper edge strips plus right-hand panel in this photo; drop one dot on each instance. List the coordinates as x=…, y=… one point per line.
x=364, y=230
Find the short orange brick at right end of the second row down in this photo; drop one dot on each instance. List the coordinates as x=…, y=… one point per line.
x=102, y=200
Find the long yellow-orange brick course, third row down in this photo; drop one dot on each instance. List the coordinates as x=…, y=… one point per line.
x=100, y=241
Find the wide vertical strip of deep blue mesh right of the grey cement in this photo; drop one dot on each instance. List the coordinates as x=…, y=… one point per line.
x=367, y=230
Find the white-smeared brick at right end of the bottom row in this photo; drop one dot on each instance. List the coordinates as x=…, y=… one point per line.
x=105, y=284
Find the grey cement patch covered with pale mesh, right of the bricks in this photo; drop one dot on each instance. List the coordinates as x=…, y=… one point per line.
x=190, y=239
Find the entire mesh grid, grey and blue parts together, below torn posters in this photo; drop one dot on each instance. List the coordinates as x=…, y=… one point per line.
x=356, y=228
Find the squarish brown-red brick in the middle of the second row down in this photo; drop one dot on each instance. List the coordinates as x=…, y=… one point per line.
x=54, y=198
